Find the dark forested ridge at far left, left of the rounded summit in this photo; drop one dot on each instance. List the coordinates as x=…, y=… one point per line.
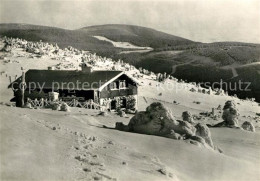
x=62, y=37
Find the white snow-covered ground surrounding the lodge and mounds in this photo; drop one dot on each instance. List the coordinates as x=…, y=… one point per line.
x=42, y=144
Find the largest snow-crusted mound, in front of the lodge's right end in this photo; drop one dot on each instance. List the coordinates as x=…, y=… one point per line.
x=158, y=120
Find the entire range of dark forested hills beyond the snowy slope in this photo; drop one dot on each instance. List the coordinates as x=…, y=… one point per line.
x=182, y=58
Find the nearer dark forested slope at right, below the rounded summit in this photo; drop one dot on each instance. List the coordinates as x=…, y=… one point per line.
x=208, y=64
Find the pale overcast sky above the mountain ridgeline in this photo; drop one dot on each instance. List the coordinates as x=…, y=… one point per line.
x=199, y=20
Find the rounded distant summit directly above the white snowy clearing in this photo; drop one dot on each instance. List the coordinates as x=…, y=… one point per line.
x=137, y=35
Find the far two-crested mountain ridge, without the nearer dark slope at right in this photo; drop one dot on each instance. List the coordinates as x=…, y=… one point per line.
x=83, y=38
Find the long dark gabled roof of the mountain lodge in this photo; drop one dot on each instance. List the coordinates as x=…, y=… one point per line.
x=49, y=79
